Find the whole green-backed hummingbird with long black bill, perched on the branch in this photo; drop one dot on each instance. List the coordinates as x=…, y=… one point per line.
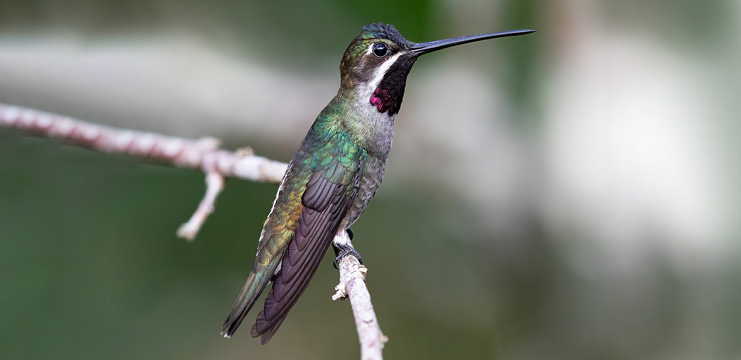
x=334, y=174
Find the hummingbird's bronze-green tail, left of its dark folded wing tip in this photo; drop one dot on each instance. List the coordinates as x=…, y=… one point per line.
x=259, y=277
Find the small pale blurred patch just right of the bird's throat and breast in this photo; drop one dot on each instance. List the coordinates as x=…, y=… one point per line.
x=453, y=132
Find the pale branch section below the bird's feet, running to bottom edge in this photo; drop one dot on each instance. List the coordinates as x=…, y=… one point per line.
x=352, y=285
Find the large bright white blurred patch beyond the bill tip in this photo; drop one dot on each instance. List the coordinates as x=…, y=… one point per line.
x=630, y=152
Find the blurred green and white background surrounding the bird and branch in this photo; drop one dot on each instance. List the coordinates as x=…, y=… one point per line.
x=564, y=195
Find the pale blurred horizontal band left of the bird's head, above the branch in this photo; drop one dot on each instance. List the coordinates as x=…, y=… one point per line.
x=169, y=84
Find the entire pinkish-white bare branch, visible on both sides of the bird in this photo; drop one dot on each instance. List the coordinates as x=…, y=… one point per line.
x=203, y=154
